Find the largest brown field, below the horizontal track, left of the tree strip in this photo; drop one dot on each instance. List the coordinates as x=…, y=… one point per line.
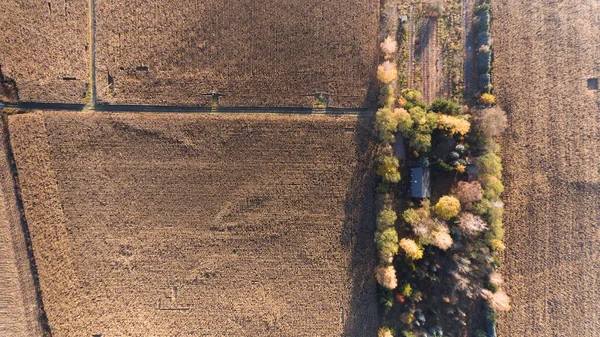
x=200, y=225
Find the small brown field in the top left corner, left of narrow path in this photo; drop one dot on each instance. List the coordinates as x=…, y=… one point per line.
x=44, y=48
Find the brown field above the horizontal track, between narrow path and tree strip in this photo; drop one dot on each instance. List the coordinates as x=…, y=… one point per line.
x=255, y=53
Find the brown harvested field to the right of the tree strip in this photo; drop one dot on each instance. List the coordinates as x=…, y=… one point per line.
x=544, y=53
